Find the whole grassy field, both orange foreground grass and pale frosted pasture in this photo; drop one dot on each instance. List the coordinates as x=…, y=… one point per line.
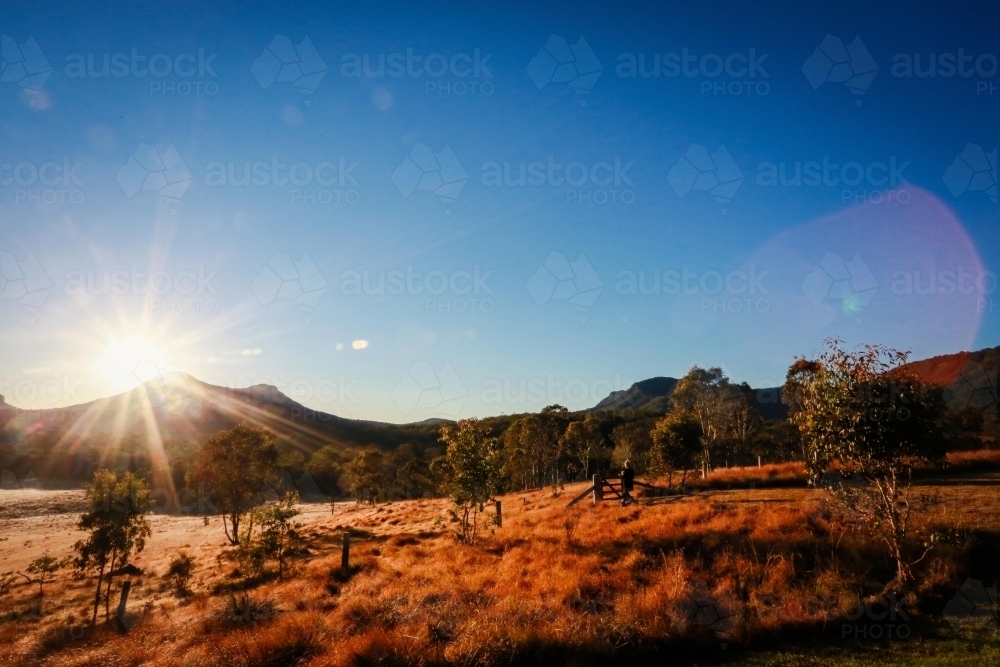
x=726, y=575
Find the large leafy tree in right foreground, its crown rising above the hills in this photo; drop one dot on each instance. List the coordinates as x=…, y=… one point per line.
x=862, y=409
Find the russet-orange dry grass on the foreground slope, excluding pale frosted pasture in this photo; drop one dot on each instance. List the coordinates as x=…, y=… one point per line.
x=739, y=566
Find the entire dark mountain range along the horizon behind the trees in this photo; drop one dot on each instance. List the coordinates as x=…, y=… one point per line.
x=179, y=411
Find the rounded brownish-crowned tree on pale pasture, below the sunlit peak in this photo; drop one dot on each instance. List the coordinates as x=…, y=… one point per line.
x=232, y=467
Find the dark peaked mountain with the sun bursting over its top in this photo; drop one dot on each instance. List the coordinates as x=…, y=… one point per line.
x=179, y=411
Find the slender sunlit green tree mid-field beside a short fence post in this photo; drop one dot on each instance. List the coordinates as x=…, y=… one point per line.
x=474, y=469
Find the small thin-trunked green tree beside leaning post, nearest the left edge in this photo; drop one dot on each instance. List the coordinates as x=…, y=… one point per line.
x=117, y=526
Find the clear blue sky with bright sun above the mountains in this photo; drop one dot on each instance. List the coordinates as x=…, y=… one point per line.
x=474, y=208
